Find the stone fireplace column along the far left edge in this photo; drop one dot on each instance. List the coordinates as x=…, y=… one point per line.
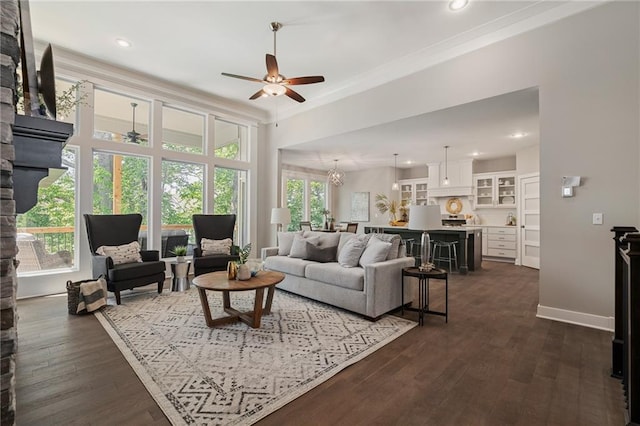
x=9, y=58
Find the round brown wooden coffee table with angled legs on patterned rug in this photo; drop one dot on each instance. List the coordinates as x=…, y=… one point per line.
x=218, y=281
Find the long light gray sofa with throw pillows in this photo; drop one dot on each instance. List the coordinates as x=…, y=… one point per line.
x=371, y=290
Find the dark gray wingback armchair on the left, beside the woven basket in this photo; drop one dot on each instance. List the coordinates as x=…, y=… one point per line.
x=116, y=230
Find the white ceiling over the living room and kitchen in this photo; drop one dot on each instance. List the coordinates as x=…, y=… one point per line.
x=354, y=45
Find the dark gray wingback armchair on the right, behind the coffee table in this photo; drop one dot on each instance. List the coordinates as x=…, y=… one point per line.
x=213, y=227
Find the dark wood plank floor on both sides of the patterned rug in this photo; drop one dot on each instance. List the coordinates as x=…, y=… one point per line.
x=494, y=363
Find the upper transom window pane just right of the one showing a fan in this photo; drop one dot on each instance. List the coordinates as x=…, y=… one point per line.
x=182, y=131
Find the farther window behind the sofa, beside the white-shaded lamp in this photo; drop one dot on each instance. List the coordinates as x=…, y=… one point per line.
x=307, y=198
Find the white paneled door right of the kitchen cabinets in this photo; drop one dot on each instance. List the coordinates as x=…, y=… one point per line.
x=530, y=220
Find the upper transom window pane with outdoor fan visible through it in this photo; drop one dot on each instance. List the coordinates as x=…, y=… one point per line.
x=113, y=119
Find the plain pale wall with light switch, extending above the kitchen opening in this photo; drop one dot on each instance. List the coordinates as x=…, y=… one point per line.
x=589, y=89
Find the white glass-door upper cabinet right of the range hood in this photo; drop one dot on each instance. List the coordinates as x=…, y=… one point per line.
x=495, y=190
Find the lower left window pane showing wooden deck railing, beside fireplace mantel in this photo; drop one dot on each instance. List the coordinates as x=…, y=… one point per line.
x=46, y=233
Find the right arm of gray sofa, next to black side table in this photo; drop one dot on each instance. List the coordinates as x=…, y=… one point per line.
x=382, y=285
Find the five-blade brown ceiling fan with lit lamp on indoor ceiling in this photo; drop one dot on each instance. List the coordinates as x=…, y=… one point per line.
x=275, y=84
